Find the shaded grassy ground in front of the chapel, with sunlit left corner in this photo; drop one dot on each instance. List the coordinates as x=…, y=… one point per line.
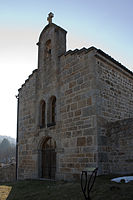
x=103, y=189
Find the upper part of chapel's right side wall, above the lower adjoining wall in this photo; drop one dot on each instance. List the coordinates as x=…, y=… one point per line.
x=115, y=86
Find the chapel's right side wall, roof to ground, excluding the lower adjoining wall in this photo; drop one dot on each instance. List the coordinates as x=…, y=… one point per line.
x=114, y=102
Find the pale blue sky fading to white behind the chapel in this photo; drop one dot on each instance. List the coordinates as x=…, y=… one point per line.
x=105, y=24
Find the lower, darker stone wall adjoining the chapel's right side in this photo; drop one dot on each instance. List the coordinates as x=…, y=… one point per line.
x=120, y=155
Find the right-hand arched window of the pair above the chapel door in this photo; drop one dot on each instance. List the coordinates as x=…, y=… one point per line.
x=52, y=111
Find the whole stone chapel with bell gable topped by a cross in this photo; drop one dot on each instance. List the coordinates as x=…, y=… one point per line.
x=74, y=111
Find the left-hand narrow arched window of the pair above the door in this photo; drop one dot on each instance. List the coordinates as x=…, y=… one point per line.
x=42, y=114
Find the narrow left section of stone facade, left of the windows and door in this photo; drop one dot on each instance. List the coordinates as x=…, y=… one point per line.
x=27, y=126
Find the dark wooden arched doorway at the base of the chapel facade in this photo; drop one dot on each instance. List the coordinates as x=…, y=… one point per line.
x=48, y=158
